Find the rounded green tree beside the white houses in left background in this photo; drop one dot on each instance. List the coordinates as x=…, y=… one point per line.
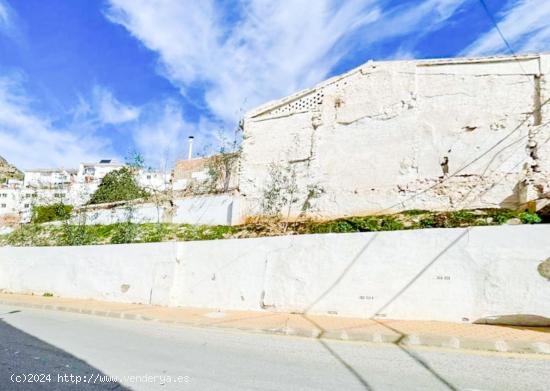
x=119, y=185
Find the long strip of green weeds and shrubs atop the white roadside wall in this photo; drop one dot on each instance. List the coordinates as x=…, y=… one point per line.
x=79, y=234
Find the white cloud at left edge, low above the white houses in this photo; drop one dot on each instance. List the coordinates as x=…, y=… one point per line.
x=30, y=140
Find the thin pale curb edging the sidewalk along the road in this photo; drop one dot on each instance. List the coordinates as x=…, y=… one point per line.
x=411, y=340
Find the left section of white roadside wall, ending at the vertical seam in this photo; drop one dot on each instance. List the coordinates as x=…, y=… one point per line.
x=124, y=273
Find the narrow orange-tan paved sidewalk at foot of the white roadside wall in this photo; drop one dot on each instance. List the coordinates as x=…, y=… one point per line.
x=426, y=333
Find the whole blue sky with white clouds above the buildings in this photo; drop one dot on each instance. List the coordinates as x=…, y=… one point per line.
x=87, y=80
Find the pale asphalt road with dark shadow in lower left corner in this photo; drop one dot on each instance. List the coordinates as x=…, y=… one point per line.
x=105, y=354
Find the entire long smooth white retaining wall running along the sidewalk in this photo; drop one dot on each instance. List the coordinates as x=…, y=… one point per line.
x=434, y=274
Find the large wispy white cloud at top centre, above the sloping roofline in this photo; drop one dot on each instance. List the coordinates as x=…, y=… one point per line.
x=274, y=48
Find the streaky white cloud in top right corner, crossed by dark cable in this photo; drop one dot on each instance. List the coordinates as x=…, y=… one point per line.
x=525, y=25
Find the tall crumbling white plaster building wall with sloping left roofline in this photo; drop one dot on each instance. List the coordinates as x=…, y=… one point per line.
x=389, y=136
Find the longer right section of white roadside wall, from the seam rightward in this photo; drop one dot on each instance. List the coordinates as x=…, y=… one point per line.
x=437, y=274
